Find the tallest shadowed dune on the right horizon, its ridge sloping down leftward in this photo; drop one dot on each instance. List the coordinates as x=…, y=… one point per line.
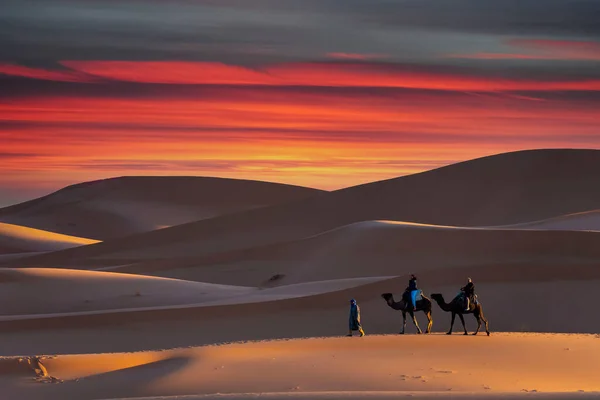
x=499, y=190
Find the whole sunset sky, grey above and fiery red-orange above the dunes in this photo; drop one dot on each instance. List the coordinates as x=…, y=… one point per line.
x=321, y=93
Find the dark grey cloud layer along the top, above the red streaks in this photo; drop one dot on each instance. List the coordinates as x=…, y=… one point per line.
x=260, y=31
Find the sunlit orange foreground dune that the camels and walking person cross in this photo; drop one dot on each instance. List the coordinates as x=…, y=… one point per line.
x=407, y=366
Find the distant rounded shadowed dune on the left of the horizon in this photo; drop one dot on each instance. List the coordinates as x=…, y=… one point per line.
x=122, y=206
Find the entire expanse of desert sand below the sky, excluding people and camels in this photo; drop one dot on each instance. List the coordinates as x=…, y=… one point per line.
x=247, y=296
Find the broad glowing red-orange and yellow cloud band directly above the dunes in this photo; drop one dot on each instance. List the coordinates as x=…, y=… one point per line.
x=320, y=139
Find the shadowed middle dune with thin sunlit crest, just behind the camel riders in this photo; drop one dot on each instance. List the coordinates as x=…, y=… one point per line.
x=386, y=248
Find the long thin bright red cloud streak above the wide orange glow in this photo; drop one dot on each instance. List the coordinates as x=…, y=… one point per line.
x=310, y=74
